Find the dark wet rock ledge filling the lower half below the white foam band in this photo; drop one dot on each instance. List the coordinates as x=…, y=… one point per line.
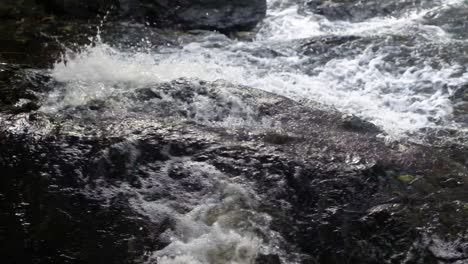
x=112, y=180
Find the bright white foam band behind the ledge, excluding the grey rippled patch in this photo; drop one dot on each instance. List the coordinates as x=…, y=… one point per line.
x=361, y=85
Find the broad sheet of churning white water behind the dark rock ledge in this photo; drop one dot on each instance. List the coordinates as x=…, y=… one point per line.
x=387, y=75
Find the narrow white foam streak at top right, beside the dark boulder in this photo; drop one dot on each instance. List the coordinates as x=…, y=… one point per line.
x=287, y=23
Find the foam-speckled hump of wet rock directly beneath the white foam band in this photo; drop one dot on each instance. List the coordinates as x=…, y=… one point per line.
x=193, y=100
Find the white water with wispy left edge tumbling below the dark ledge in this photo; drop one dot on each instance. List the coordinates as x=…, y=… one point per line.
x=216, y=223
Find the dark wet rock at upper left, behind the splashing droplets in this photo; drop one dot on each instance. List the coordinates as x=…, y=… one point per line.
x=39, y=42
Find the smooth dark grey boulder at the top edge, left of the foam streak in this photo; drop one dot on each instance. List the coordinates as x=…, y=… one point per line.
x=223, y=15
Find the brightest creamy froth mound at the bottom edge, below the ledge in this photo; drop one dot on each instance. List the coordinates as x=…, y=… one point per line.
x=216, y=231
